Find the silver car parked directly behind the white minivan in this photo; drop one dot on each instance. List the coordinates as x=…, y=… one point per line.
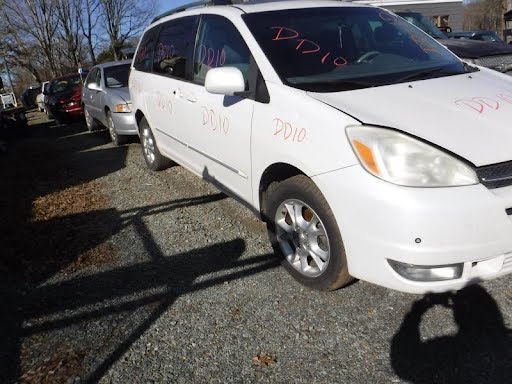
x=106, y=100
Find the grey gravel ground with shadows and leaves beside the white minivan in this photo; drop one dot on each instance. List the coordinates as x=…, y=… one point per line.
x=111, y=273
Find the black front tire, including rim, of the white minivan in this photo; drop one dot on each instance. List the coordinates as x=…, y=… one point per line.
x=312, y=253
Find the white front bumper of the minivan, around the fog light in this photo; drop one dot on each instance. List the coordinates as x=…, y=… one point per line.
x=380, y=221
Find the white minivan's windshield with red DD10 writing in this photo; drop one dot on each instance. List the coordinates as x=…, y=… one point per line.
x=342, y=48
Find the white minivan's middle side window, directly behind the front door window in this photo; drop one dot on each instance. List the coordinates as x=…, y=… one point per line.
x=173, y=52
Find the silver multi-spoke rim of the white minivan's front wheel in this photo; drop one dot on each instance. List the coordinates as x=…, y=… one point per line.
x=302, y=238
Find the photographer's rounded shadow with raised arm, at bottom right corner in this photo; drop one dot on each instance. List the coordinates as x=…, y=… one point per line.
x=481, y=351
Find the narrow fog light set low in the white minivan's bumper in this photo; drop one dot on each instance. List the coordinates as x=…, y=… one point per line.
x=427, y=272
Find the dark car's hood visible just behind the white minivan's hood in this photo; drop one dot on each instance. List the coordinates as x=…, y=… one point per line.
x=473, y=49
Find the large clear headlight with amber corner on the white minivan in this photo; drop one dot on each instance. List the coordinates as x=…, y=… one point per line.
x=403, y=160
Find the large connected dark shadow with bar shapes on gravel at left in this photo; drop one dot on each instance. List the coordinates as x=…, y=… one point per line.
x=129, y=298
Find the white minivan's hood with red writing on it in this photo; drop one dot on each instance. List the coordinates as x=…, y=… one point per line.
x=469, y=115
